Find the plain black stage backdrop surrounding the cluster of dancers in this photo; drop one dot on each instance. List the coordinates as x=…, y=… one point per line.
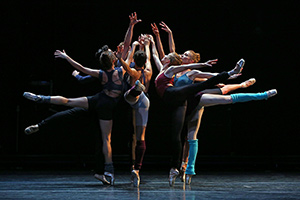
x=264, y=33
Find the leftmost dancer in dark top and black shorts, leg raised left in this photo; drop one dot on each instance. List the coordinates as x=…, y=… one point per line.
x=103, y=103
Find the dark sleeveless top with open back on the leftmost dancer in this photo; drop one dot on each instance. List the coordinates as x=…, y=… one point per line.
x=110, y=85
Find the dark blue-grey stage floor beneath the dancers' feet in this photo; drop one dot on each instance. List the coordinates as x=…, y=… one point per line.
x=77, y=185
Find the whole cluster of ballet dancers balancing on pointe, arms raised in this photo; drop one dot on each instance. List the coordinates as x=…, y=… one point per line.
x=181, y=86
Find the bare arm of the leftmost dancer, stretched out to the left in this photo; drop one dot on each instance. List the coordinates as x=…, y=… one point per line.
x=76, y=65
